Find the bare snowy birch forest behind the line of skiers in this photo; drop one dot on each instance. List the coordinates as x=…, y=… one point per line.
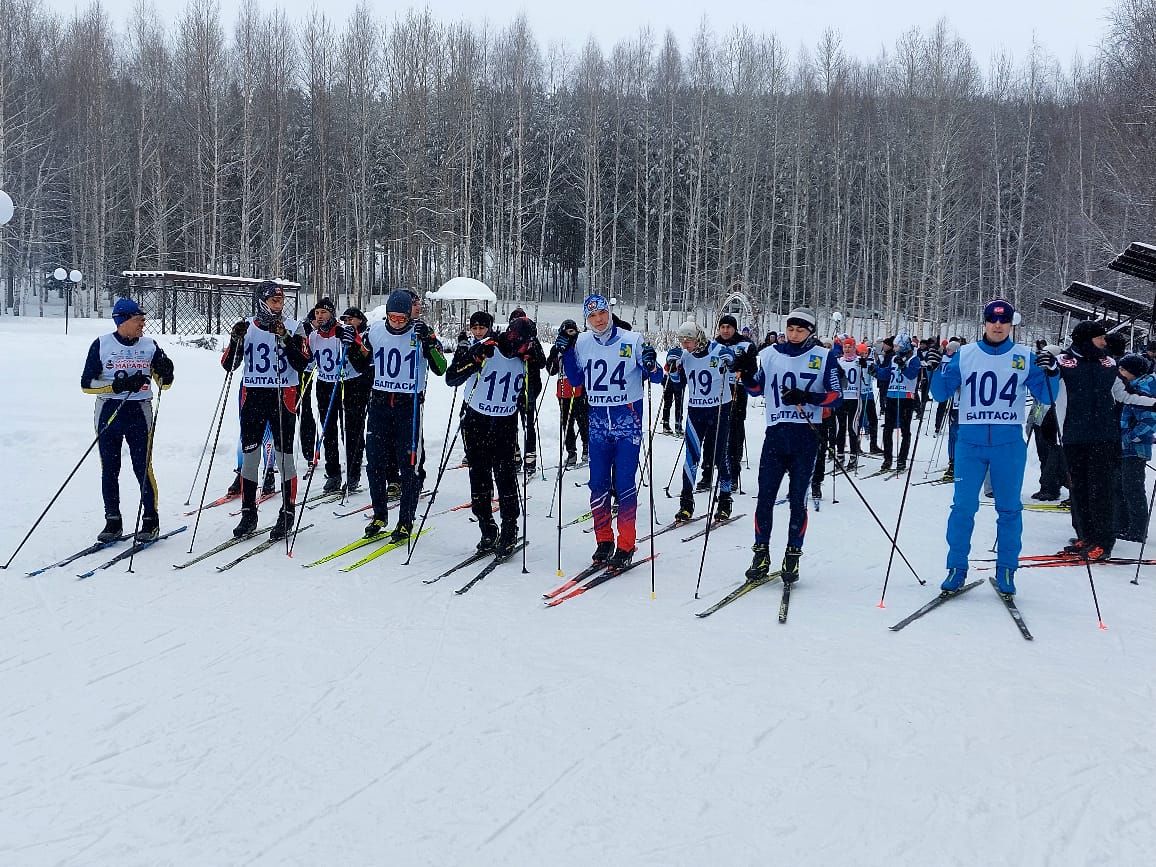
x=362, y=155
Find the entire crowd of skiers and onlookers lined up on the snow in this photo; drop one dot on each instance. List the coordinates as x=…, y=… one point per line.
x=1093, y=419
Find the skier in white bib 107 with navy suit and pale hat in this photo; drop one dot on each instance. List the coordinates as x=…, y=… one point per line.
x=799, y=380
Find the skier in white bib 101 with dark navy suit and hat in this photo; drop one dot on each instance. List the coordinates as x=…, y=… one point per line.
x=399, y=352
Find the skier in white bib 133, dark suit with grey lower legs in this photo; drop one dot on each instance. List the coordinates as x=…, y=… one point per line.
x=275, y=352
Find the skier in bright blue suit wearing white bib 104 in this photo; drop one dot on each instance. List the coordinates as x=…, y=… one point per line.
x=992, y=377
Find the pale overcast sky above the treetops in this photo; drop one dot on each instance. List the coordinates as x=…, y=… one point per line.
x=1065, y=29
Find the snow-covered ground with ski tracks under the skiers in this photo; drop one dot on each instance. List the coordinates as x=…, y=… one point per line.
x=277, y=716
